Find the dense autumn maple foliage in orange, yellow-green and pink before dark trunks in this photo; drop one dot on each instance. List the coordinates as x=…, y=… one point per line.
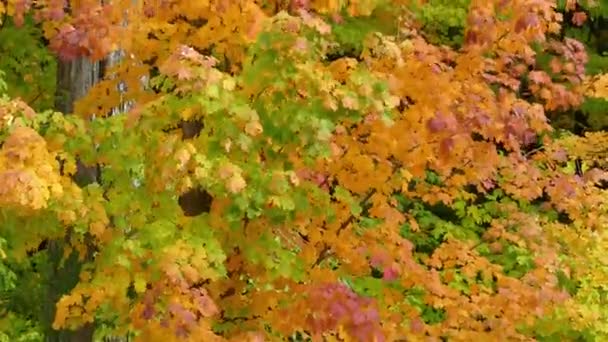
x=302, y=236
